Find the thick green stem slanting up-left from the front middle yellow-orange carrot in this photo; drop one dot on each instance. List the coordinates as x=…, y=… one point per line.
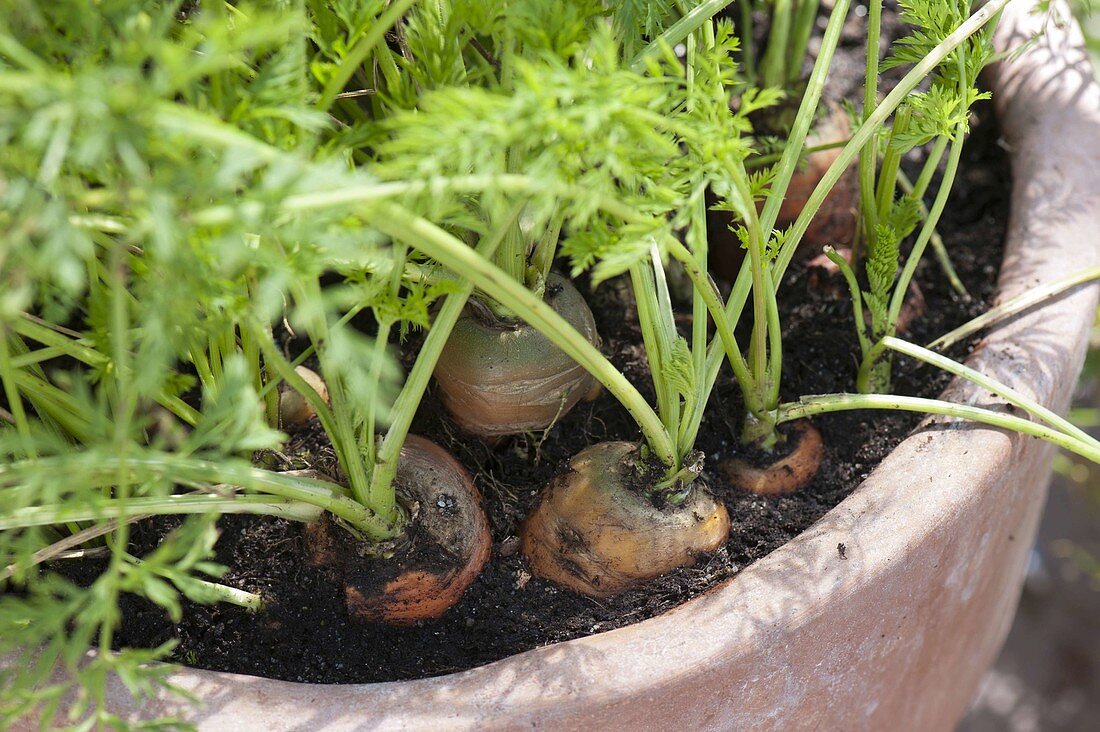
x=455, y=255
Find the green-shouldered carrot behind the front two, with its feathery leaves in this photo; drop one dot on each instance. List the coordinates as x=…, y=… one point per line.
x=478, y=70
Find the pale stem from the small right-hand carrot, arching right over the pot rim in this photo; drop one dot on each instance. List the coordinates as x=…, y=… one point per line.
x=809, y=407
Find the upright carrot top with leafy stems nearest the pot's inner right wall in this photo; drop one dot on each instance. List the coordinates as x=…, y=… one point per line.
x=940, y=116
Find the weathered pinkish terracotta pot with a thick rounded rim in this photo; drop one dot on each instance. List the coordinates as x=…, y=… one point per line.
x=894, y=632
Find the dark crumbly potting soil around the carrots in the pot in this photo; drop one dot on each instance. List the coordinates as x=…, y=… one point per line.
x=306, y=633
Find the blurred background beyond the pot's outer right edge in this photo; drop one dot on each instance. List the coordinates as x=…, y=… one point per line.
x=1048, y=676
